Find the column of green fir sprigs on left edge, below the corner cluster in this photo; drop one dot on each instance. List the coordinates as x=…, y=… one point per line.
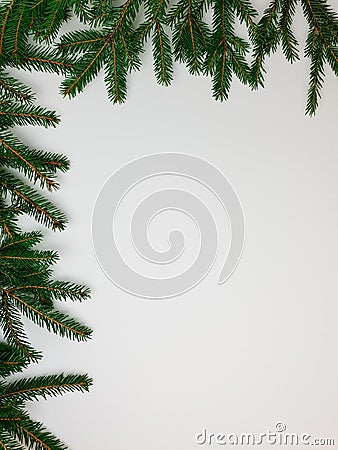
x=26, y=284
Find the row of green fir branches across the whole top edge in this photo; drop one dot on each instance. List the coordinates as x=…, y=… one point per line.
x=112, y=40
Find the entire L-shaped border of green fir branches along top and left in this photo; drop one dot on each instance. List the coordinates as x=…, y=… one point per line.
x=112, y=38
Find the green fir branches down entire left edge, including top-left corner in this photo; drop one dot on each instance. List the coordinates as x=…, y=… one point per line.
x=26, y=287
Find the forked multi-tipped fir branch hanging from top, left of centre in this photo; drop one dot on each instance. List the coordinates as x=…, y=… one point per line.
x=106, y=48
